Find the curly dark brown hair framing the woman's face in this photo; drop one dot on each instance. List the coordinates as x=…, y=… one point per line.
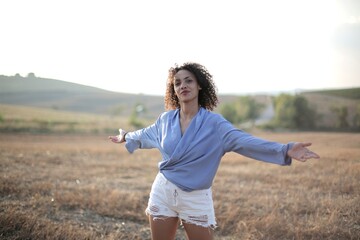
x=207, y=95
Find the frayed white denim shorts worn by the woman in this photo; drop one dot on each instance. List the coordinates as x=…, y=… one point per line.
x=168, y=200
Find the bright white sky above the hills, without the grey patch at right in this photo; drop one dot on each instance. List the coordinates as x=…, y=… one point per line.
x=128, y=46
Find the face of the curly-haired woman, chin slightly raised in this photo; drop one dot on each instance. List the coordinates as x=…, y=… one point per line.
x=186, y=86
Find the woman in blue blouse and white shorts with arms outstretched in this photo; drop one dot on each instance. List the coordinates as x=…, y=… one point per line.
x=192, y=141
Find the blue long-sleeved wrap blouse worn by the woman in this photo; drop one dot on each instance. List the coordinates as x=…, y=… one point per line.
x=190, y=160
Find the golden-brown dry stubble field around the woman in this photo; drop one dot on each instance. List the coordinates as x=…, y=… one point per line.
x=84, y=187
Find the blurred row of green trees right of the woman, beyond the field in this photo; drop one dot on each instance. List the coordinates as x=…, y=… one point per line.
x=291, y=112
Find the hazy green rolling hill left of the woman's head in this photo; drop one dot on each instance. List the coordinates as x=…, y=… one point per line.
x=60, y=95
